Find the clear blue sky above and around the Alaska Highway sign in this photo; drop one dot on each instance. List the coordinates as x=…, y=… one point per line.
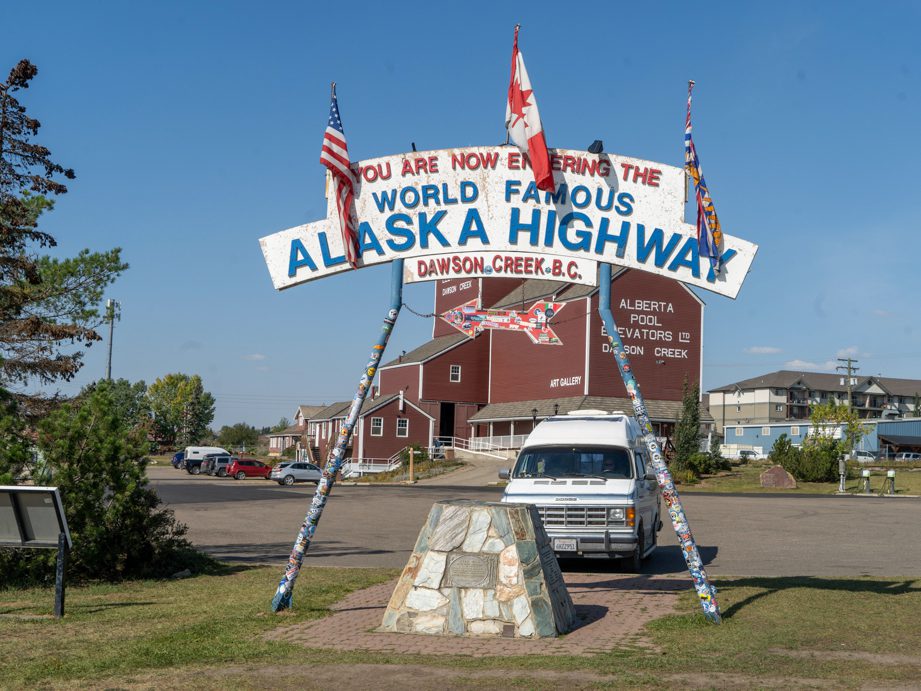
x=195, y=129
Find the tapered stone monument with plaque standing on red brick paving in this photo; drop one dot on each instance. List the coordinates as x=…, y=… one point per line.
x=481, y=568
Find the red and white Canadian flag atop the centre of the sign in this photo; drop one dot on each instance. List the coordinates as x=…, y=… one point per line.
x=522, y=120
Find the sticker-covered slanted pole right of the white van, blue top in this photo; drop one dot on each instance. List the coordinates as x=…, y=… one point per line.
x=705, y=591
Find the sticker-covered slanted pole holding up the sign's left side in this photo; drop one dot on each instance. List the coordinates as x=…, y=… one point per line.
x=282, y=599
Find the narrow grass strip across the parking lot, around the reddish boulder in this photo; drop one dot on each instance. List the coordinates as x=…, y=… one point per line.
x=746, y=478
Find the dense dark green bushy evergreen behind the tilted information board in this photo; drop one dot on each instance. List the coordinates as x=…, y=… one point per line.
x=119, y=530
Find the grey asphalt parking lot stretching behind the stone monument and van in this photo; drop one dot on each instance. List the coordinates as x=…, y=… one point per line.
x=256, y=521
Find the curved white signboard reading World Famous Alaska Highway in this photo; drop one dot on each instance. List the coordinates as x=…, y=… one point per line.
x=437, y=208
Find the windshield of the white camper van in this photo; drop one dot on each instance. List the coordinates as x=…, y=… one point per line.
x=571, y=461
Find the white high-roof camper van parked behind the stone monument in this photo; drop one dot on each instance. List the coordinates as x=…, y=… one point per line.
x=590, y=478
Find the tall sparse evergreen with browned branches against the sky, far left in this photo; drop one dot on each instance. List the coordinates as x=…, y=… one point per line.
x=48, y=307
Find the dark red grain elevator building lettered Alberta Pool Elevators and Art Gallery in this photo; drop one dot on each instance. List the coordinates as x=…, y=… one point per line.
x=497, y=385
